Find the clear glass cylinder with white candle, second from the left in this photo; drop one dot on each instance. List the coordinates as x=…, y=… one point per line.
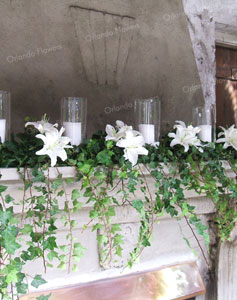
x=73, y=116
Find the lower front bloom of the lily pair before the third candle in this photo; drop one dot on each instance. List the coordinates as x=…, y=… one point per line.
x=133, y=145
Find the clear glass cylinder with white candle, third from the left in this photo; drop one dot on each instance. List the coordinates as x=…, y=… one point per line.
x=147, y=118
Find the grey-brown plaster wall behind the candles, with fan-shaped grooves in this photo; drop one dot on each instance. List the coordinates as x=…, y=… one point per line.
x=109, y=51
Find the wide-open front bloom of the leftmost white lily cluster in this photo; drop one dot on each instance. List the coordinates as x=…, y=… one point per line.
x=54, y=145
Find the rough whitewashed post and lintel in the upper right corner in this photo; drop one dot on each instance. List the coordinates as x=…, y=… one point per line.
x=205, y=20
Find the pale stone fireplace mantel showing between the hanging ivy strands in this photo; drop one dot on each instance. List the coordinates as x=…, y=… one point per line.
x=168, y=246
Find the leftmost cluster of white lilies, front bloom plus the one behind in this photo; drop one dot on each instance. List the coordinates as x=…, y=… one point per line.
x=54, y=143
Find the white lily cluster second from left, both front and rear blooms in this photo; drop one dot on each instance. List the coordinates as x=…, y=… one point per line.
x=125, y=137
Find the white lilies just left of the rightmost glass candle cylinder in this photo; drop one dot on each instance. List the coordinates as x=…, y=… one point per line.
x=185, y=136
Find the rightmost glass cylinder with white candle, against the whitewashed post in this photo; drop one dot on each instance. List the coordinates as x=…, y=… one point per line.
x=205, y=119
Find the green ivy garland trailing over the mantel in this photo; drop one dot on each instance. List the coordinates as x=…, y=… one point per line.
x=103, y=177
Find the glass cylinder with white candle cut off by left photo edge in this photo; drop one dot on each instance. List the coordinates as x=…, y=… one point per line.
x=5, y=107
